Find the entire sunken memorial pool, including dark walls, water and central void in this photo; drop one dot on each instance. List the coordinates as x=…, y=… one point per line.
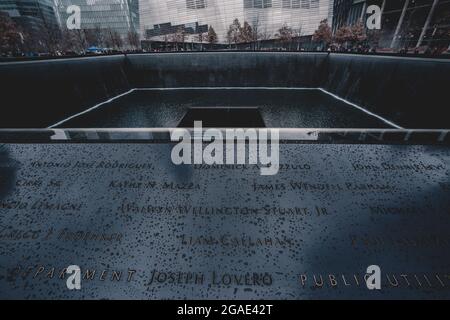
x=226, y=89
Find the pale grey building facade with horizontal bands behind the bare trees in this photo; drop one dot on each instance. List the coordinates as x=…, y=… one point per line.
x=160, y=18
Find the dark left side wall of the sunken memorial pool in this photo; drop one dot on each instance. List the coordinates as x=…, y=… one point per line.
x=36, y=94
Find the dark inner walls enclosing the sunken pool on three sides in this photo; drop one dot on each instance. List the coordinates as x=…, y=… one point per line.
x=412, y=92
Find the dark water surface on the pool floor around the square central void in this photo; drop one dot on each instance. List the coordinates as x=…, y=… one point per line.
x=276, y=107
